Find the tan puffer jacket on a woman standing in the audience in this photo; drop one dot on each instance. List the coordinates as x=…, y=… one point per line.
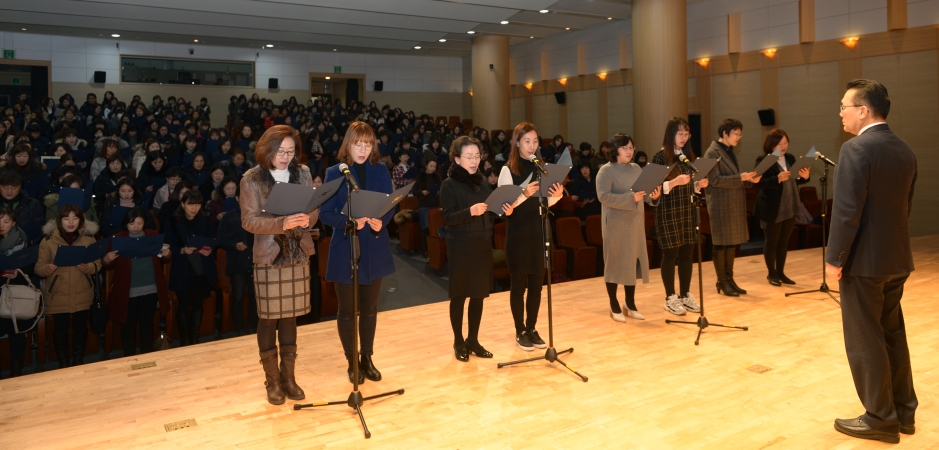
x=68, y=289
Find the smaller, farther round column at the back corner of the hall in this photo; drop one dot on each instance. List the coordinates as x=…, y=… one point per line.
x=491, y=88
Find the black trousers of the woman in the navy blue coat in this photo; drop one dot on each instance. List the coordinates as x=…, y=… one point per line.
x=368, y=316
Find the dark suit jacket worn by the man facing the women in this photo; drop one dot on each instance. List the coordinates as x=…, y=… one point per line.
x=873, y=197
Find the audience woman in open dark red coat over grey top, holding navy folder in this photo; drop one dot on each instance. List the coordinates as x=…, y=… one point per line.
x=137, y=286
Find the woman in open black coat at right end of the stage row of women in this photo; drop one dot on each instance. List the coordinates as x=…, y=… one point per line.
x=778, y=205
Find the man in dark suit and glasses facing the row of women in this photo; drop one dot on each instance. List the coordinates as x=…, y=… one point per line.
x=869, y=252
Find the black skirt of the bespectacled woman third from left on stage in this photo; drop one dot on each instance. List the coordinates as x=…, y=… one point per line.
x=470, y=268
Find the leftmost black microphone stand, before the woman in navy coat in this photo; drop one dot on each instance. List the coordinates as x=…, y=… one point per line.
x=355, y=399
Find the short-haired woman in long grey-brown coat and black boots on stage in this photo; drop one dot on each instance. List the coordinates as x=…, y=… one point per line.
x=727, y=204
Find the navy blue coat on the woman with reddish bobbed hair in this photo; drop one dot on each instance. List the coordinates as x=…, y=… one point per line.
x=376, y=261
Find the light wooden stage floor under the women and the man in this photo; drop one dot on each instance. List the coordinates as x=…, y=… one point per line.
x=650, y=386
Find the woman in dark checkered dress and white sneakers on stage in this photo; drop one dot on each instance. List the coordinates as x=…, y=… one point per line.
x=674, y=217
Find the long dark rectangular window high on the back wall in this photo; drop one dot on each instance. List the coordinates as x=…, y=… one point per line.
x=138, y=69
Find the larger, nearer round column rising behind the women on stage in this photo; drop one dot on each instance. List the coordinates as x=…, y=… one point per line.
x=660, y=68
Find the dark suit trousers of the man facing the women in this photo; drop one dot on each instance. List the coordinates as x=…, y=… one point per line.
x=875, y=341
